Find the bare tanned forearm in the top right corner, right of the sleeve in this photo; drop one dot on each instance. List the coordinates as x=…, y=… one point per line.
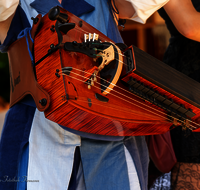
x=185, y=18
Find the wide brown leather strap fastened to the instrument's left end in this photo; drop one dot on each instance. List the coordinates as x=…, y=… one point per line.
x=22, y=77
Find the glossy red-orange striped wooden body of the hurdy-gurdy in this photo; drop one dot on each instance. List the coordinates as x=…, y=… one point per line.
x=118, y=113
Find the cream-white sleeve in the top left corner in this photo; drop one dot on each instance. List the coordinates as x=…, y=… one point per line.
x=7, y=8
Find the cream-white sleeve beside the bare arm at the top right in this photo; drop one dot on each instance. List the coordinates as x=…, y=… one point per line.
x=145, y=8
